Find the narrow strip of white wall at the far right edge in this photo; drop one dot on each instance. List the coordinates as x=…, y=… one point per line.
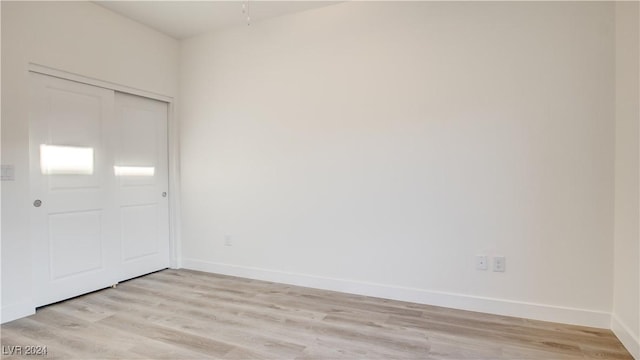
x=626, y=300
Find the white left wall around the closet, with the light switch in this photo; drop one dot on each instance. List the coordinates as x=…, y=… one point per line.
x=77, y=37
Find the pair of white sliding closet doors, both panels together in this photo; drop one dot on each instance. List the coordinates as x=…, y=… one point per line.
x=98, y=162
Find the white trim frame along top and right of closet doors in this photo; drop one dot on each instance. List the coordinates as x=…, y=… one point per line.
x=173, y=148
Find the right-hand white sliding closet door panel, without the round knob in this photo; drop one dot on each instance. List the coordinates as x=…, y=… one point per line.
x=141, y=173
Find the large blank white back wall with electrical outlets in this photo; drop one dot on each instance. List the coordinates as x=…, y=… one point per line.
x=376, y=147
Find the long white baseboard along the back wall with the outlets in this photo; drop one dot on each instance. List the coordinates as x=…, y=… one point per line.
x=567, y=315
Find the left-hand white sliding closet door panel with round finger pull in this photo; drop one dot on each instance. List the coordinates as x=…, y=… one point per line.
x=73, y=218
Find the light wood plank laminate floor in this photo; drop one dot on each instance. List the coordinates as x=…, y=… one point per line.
x=182, y=314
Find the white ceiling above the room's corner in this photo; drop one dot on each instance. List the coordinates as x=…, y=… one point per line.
x=183, y=19
